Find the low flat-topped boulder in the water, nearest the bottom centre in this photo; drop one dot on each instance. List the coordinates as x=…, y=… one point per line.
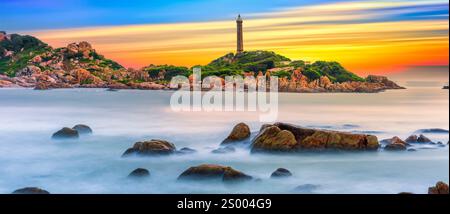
x=213, y=172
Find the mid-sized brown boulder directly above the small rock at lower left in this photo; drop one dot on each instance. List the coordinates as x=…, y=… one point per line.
x=151, y=148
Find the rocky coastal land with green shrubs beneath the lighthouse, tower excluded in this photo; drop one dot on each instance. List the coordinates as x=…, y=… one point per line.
x=27, y=62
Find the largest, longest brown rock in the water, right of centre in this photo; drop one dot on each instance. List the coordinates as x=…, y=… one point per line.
x=282, y=137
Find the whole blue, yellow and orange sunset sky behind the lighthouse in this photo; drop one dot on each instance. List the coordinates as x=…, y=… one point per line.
x=377, y=37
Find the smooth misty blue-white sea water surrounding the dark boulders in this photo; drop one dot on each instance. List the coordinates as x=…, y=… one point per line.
x=28, y=157
